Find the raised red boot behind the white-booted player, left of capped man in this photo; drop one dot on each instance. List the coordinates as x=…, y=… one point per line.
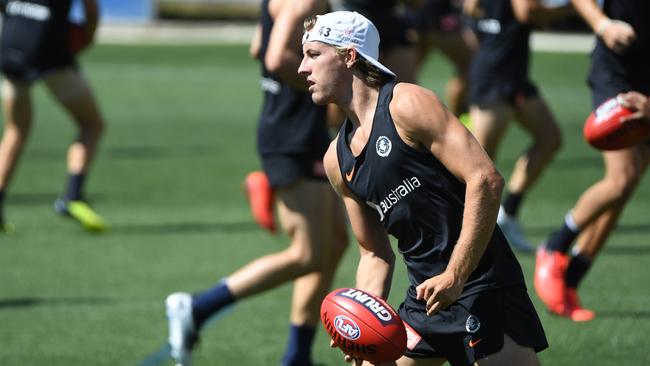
x=261, y=199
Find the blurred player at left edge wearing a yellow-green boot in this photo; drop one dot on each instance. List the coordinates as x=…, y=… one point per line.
x=39, y=43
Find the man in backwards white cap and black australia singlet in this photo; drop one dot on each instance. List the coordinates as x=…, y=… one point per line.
x=404, y=165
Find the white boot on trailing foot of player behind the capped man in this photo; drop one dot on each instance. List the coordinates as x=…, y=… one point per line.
x=182, y=333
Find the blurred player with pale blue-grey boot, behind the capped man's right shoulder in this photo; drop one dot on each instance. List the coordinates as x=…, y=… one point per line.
x=500, y=91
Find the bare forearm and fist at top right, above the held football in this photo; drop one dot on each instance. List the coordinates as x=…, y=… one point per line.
x=616, y=34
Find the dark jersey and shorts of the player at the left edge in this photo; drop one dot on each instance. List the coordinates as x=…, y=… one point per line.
x=34, y=36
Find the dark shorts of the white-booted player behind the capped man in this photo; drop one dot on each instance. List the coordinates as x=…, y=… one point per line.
x=285, y=169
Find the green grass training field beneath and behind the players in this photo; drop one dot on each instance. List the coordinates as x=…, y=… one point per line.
x=181, y=125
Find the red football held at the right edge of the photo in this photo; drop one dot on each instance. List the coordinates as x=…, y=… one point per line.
x=605, y=131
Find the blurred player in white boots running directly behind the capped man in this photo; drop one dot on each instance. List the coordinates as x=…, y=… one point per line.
x=292, y=139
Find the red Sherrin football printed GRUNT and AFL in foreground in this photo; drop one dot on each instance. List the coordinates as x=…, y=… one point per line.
x=363, y=325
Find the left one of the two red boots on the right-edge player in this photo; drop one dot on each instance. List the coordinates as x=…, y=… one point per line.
x=550, y=267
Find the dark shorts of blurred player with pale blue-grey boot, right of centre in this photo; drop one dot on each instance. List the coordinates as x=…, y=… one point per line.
x=486, y=91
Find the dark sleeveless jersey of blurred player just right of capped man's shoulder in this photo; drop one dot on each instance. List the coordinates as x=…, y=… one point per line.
x=504, y=50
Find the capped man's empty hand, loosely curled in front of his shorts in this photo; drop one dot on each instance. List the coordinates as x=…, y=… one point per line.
x=440, y=291
